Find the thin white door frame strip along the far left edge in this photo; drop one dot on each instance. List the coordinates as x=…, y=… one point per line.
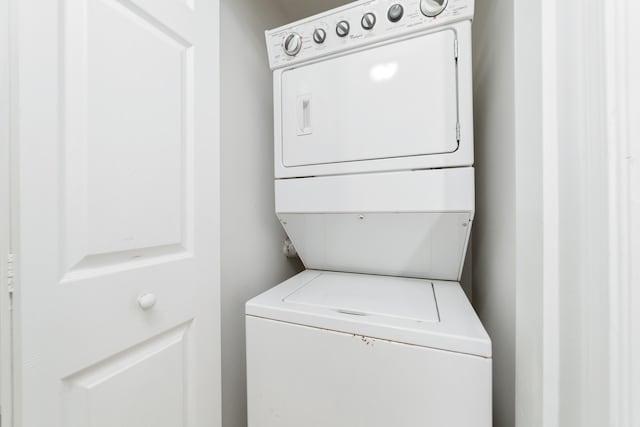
x=7, y=236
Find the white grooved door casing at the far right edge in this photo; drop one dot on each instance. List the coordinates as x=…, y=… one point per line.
x=623, y=101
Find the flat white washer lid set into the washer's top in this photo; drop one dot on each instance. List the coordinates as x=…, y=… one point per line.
x=364, y=295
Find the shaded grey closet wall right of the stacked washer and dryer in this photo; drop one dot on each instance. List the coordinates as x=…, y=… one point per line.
x=494, y=236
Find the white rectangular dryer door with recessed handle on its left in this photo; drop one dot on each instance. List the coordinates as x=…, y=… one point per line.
x=394, y=100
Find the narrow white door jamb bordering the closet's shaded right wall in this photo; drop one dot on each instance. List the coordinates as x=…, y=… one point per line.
x=530, y=205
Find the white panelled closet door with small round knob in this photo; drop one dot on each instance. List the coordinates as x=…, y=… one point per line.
x=117, y=303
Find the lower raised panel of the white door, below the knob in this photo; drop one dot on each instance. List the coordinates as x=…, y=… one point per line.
x=100, y=388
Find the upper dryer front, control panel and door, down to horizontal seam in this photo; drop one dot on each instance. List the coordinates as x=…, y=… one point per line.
x=397, y=96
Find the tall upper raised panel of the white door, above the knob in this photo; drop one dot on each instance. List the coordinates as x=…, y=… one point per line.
x=102, y=149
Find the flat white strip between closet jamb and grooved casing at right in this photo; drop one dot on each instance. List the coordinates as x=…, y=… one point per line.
x=583, y=215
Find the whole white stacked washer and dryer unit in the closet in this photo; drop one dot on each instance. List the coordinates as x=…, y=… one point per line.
x=375, y=187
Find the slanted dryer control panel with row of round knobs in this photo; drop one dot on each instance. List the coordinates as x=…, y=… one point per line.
x=358, y=24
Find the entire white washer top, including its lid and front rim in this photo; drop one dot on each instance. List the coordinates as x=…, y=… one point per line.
x=426, y=313
